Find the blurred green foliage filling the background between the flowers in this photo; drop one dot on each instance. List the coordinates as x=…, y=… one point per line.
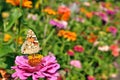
x=94, y=62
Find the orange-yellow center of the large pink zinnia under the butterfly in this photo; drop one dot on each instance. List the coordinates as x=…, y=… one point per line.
x=34, y=59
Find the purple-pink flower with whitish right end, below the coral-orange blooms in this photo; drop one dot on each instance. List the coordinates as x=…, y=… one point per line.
x=58, y=24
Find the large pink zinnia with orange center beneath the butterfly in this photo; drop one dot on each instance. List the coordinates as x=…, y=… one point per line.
x=36, y=66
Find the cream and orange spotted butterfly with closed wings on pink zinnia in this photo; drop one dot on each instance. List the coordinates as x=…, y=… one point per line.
x=31, y=44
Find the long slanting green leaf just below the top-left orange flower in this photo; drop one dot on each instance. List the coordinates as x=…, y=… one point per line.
x=15, y=15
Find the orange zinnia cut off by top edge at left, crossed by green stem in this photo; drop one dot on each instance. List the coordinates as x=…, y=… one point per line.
x=25, y=3
